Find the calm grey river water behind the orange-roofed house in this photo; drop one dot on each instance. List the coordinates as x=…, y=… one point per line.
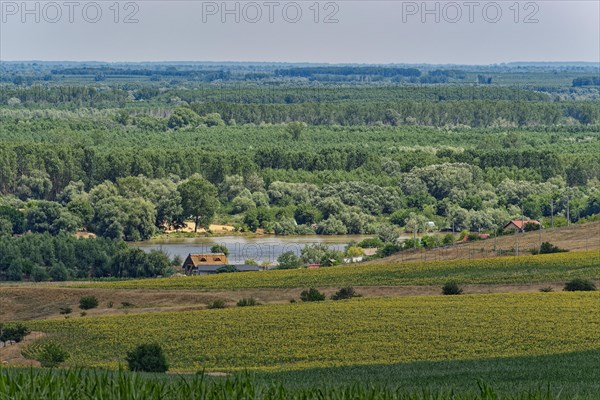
x=266, y=248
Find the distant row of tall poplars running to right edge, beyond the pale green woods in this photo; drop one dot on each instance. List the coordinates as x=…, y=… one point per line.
x=459, y=113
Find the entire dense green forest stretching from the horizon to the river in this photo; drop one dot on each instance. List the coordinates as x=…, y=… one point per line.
x=285, y=152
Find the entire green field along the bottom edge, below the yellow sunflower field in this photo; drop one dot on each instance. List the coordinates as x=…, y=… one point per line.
x=518, y=378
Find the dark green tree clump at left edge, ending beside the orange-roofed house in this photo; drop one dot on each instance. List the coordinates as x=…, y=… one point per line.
x=42, y=257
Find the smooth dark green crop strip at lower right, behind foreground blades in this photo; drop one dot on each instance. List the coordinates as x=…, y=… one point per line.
x=566, y=373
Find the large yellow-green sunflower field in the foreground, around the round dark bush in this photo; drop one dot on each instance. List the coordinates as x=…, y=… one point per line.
x=365, y=331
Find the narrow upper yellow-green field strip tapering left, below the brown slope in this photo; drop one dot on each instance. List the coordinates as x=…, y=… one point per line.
x=526, y=269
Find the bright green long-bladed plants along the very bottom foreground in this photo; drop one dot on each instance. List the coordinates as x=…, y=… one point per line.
x=17, y=384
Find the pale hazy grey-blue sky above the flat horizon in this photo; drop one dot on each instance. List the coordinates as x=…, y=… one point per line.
x=466, y=32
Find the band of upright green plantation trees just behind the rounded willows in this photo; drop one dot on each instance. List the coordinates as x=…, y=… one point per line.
x=45, y=170
